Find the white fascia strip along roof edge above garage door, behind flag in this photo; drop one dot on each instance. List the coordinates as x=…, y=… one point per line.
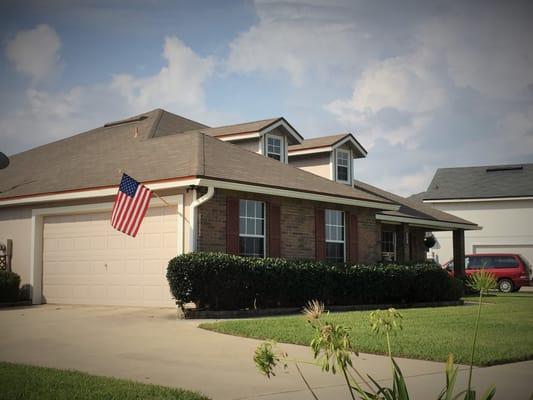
x=93, y=193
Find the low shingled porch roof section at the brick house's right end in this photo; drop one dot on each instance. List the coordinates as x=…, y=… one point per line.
x=411, y=208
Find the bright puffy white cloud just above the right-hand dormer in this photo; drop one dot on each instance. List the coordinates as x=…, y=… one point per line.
x=401, y=85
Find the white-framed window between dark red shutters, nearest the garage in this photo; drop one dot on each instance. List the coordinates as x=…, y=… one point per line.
x=251, y=228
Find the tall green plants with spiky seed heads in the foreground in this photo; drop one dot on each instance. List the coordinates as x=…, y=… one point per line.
x=333, y=351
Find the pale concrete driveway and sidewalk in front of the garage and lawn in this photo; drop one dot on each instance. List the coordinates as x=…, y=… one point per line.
x=152, y=346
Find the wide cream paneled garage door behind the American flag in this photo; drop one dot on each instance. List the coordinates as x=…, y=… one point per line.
x=86, y=261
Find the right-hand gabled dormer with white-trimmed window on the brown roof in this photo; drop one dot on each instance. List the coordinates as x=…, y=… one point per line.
x=331, y=157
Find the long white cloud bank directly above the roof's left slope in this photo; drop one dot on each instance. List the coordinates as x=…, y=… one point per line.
x=50, y=115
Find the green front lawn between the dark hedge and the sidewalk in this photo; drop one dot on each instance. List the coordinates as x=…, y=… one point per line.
x=428, y=333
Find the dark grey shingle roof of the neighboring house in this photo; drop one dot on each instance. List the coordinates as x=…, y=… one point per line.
x=480, y=182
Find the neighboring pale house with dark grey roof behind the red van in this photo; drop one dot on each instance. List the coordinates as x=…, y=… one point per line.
x=498, y=197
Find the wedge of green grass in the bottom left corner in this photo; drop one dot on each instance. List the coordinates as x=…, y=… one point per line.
x=26, y=382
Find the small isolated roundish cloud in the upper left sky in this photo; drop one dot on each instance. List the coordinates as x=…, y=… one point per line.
x=35, y=52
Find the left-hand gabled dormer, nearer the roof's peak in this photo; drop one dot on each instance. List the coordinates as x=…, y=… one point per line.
x=270, y=137
